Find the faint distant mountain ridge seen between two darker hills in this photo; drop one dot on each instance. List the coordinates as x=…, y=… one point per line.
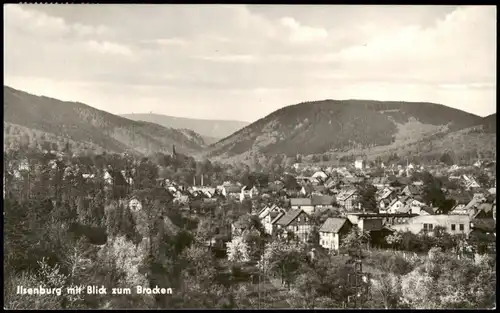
x=211, y=130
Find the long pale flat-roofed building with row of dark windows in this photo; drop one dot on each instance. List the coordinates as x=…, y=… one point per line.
x=453, y=224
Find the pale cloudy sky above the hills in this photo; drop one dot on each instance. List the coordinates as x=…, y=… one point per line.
x=242, y=62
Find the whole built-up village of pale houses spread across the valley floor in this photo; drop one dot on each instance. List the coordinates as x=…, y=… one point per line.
x=400, y=204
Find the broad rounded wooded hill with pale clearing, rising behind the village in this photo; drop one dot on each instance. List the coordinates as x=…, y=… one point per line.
x=332, y=126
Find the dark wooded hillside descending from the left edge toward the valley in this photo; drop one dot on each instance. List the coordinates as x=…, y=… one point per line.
x=27, y=114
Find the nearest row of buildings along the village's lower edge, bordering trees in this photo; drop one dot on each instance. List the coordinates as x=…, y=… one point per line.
x=299, y=221
